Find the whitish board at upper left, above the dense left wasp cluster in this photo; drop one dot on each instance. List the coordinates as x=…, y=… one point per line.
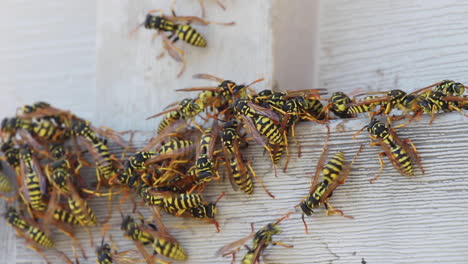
x=48, y=54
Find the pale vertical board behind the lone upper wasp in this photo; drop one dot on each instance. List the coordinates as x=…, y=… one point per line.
x=133, y=84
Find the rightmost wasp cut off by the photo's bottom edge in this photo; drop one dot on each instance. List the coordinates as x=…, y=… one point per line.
x=260, y=241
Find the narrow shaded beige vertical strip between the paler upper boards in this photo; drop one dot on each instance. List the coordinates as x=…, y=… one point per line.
x=295, y=40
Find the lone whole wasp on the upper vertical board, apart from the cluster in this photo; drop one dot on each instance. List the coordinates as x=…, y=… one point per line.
x=163, y=23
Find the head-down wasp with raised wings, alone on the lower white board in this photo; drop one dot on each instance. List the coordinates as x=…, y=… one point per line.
x=334, y=173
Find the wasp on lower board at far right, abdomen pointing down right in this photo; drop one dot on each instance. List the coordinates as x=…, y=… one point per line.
x=401, y=153
